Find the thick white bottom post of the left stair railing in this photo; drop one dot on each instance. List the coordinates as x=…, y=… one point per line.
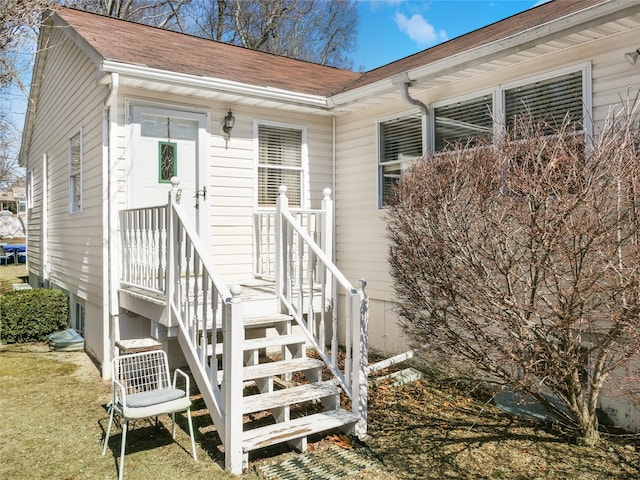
x=232, y=344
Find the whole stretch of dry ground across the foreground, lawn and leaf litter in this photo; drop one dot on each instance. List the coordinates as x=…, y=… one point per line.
x=52, y=420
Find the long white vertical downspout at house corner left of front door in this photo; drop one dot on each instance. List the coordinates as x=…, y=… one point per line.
x=111, y=278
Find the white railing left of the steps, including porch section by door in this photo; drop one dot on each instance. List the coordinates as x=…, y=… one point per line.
x=162, y=253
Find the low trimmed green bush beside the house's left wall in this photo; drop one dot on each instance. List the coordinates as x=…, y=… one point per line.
x=31, y=315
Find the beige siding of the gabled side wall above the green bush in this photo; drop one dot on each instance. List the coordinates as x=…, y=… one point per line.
x=70, y=99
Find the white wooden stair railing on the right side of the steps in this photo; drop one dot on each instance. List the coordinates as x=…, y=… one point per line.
x=312, y=290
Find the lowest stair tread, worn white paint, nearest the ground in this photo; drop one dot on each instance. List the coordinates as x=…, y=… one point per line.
x=297, y=428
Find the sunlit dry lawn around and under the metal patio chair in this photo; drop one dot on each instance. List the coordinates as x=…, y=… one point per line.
x=53, y=421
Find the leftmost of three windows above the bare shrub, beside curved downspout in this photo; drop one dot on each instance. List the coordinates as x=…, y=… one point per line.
x=401, y=143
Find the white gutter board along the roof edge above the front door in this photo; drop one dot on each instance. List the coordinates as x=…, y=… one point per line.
x=210, y=83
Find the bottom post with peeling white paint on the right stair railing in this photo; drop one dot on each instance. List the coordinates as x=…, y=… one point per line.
x=360, y=384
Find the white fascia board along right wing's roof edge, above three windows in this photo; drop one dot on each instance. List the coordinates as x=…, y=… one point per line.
x=597, y=14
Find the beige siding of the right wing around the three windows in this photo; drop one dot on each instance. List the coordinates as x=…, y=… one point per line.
x=361, y=246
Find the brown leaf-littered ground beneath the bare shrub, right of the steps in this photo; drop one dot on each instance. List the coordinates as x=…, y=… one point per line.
x=436, y=429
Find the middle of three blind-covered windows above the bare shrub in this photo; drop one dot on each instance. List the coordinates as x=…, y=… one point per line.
x=463, y=123
